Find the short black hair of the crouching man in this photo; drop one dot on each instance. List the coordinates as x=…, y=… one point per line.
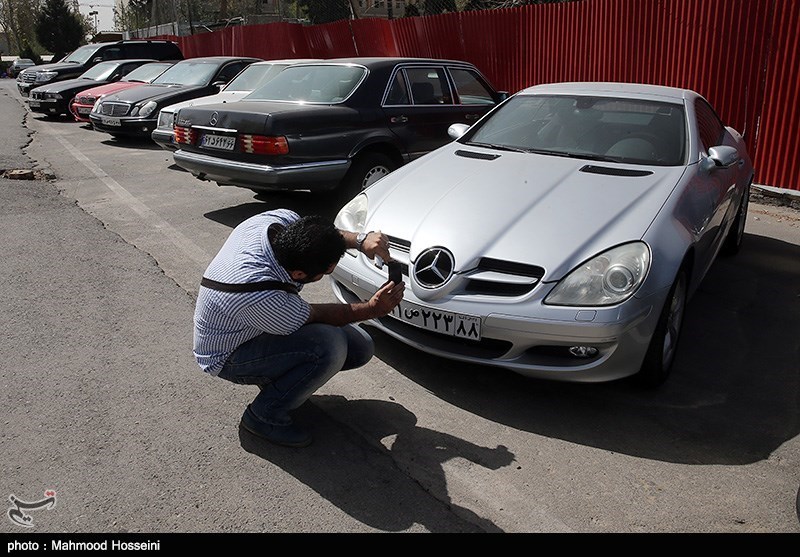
x=311, y=244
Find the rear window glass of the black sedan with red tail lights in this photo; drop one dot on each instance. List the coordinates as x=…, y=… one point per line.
x=313, y=84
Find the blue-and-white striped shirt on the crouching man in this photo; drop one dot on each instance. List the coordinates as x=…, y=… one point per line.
x=224, y=321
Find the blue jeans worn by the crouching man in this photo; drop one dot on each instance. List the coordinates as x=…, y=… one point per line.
x=289, y=368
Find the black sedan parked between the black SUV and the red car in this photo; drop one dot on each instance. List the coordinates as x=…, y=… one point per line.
x=53, y=99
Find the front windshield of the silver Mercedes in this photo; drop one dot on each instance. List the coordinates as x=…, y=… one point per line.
x=595, y=128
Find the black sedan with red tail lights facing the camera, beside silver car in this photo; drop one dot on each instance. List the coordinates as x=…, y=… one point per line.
x=332, y=125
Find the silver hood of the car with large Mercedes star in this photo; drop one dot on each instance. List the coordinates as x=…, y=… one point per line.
x=521, y=207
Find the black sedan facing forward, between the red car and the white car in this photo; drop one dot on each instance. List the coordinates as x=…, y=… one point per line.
x=134, y=112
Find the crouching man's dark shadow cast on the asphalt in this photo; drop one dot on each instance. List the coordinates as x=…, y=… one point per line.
x=369, y=481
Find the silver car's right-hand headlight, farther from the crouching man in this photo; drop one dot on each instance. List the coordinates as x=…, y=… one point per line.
x=609, y=278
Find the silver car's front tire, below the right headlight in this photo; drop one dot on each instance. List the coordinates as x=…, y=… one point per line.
x=660, y=354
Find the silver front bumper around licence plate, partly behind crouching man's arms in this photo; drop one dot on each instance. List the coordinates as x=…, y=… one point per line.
x=525, y=337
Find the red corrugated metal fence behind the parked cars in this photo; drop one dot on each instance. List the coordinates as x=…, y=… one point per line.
x=742, y=55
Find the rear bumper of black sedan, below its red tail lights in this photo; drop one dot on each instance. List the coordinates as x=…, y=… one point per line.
x=315, y=176
